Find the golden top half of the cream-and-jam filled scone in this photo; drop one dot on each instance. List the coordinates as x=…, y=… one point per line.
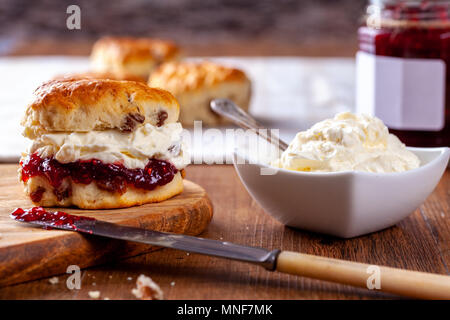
x=84, y=105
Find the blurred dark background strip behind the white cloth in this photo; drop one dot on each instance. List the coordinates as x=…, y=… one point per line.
x=221, y=27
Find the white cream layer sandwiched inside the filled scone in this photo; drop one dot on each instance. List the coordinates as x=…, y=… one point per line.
x=132, y=149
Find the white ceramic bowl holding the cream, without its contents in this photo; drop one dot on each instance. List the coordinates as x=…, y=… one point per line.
x=343, y=204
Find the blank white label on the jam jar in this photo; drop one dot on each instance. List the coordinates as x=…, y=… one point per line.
x=406, y=93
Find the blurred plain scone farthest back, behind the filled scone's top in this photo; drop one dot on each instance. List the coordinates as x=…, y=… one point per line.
x=136, y=57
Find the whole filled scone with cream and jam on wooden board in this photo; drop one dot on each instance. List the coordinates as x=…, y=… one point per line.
x=102, y=144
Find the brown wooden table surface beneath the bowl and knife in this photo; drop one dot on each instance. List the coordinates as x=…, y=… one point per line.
x=420, y=242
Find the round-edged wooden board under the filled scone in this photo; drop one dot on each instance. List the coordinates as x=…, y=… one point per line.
x=28, y=253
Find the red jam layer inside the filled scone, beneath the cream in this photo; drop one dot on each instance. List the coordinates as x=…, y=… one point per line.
x=114, y=177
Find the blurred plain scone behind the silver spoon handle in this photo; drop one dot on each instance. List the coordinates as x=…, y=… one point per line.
x=195, y=84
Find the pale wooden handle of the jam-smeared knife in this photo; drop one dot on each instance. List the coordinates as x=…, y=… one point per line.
x=413, y=284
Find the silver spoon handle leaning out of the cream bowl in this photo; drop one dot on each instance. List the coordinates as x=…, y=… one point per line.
x=232, y=112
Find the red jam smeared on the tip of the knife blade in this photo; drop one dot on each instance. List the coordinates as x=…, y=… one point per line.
x=52, y=219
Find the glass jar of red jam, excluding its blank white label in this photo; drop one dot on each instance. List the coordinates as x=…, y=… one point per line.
x=412, y=30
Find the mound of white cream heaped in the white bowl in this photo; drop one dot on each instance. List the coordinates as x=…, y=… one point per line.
x=347, y=142
